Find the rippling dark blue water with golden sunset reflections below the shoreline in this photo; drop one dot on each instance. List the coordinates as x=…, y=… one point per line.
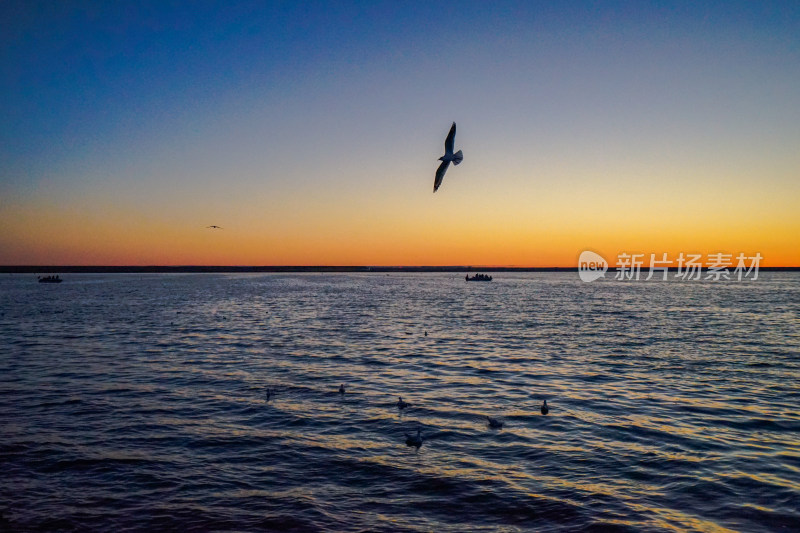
x=137, y=402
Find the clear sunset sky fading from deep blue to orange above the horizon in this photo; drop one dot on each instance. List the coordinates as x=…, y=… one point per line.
x=311, y=131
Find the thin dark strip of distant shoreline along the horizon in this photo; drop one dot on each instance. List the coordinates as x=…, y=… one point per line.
x=79, y=269
